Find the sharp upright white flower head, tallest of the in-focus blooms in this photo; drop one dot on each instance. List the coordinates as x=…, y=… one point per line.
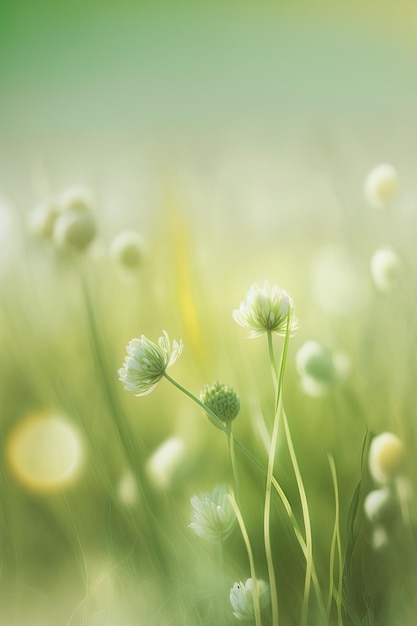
x=266, y=310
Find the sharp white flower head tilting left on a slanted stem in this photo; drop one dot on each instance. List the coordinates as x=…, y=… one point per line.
x=147, y=362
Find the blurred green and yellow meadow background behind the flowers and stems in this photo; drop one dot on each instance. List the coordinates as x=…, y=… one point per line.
x=236, y=138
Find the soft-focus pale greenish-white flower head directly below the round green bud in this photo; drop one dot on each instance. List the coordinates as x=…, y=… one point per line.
x=214, y=516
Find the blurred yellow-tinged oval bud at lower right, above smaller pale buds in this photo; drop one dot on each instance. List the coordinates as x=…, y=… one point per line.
x=386, y=455
